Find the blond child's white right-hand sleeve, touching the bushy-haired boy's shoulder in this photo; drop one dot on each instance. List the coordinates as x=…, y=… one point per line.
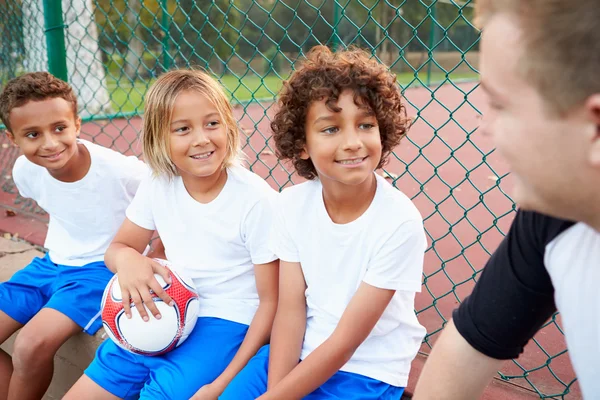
x=257, y=225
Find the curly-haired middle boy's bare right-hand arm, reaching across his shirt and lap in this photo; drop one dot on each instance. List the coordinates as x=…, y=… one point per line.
x=359, y=318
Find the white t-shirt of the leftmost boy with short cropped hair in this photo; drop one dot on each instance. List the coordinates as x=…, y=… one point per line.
x=84, y=215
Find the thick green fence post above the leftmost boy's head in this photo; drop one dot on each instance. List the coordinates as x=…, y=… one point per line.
x=54, y=30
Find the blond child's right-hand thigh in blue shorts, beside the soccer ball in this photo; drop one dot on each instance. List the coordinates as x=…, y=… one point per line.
x=198, y=361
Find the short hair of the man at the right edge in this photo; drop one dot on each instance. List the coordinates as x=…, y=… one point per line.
x=561, y=42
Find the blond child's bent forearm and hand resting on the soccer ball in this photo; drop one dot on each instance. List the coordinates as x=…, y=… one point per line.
x=136, y=272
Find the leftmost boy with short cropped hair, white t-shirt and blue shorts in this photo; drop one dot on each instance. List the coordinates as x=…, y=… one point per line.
x=85, y=188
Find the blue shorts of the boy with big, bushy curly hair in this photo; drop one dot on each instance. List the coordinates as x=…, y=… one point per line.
x=251, y=382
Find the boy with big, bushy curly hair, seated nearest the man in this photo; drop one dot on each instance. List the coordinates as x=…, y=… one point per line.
x=351, y=246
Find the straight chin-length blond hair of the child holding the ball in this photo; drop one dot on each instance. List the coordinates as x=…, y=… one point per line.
x=158, y=113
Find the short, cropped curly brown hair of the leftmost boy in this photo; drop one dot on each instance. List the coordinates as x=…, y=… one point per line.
x=33, y=86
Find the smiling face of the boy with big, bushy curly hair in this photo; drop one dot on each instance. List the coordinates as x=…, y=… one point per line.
x=344, y=144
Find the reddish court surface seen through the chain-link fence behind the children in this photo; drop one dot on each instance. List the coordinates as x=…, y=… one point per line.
x=454, y=177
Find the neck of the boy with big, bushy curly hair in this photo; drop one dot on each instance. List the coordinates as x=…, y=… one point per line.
x=344, y=203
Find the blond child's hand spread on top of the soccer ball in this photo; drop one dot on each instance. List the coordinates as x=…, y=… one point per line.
x=137, y=282
